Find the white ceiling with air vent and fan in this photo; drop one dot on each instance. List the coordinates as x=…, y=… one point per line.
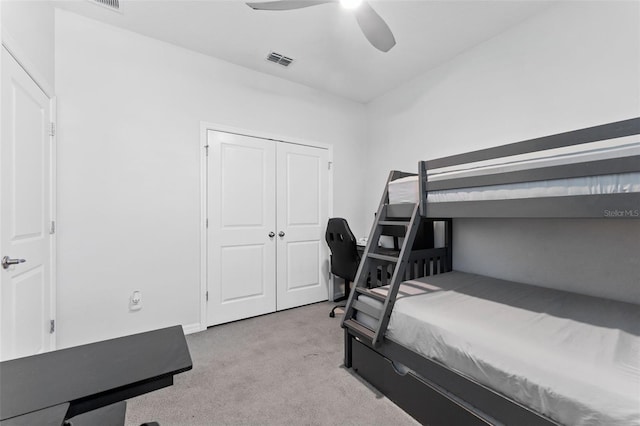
x=330, y=52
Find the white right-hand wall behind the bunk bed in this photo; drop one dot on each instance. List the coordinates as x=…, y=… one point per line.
x=573, y=66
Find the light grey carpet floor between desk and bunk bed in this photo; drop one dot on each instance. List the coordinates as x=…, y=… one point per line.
x=278, y=369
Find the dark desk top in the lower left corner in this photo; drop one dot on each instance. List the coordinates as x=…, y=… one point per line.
x=92, y=376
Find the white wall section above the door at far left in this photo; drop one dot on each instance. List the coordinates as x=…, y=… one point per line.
x=28, y=30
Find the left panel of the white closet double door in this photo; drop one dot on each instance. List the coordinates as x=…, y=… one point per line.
x=242, y=214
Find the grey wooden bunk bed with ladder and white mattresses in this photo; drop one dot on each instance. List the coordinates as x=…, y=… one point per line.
x=453, y=348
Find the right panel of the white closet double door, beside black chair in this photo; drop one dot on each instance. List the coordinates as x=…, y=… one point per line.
x=303, y=258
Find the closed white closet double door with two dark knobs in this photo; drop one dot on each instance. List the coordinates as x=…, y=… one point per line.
x=267, y=209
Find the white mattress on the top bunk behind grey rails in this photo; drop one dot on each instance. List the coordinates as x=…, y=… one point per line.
x=406, y=190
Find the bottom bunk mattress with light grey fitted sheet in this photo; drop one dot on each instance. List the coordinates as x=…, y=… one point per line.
x=570, y=357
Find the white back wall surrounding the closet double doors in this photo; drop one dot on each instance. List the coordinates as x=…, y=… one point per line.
x=129, y=111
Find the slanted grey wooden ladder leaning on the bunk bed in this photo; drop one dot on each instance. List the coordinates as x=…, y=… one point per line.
x=376, y=262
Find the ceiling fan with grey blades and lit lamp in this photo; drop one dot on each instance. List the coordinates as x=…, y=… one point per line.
x=372, y=25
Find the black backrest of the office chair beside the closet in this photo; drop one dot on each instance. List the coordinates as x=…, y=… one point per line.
x=344, y=251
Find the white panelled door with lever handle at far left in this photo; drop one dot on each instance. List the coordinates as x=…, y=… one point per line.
x=25, y=214
